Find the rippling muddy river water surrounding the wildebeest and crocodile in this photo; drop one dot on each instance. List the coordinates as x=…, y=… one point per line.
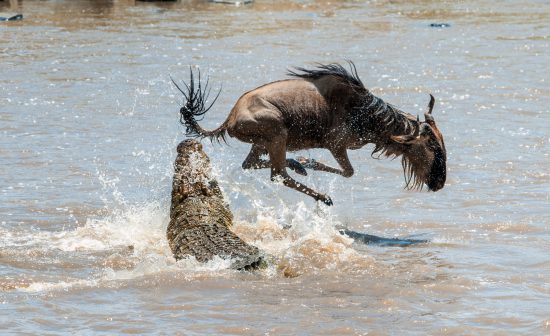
x=89, y=126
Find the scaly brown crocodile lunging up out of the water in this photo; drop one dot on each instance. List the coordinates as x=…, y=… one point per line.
x=199, y=217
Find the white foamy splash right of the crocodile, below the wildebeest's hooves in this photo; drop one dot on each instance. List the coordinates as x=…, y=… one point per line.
x=299, y=238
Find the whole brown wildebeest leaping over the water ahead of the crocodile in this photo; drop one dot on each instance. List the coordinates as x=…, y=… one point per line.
x=326, y=107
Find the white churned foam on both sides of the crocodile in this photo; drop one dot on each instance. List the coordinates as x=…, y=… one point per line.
x=300, y=233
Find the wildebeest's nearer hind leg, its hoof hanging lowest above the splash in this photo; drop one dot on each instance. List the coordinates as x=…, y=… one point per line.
x=277, y=154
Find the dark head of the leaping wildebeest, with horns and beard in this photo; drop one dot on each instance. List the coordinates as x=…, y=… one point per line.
x=424, y=154
